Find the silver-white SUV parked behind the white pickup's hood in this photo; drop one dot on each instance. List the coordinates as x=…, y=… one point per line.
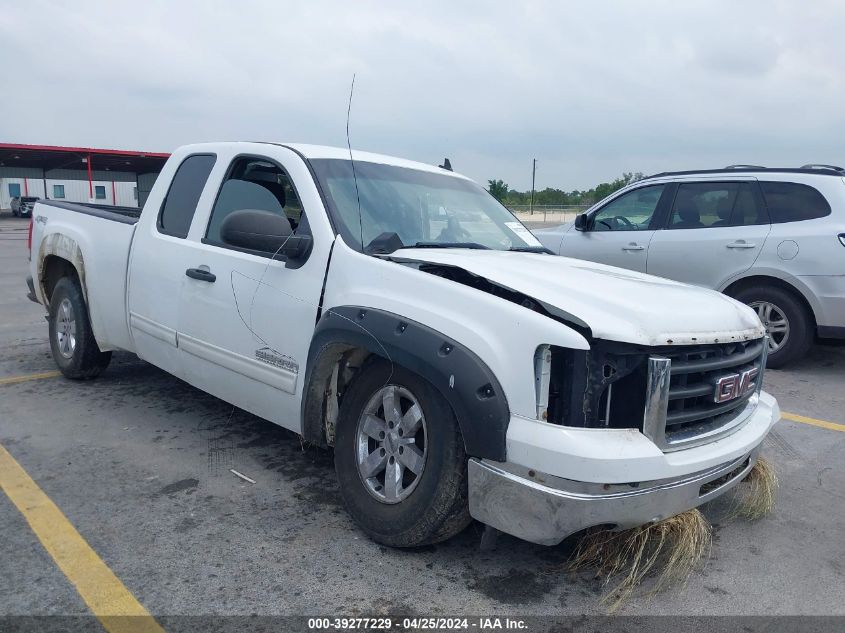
x=772, y=238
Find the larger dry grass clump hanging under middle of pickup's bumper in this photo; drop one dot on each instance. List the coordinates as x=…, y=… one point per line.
x=668, y=550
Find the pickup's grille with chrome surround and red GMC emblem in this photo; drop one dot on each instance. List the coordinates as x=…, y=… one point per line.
x=696, y=394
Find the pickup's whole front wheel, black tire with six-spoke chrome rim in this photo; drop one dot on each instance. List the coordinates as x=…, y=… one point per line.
x=400, y=459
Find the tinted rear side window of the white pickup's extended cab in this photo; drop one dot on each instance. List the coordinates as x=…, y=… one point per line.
x=184, y=194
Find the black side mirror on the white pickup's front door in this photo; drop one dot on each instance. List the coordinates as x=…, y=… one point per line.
x=264, y=232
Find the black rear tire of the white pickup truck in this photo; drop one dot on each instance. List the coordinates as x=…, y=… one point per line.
x=83, y=359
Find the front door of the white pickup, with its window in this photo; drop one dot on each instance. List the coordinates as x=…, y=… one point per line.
x=246, y=319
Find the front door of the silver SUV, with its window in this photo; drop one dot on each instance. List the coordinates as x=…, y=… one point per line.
x=619, y=233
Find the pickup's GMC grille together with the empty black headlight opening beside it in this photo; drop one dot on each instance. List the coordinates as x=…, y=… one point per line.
x=676, y=396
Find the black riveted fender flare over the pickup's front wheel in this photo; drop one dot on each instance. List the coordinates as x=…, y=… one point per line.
x=464, y=380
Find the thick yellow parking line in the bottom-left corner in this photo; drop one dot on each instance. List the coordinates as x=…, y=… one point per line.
x=102, y=591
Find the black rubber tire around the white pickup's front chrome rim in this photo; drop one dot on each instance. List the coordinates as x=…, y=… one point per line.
x=436, y=508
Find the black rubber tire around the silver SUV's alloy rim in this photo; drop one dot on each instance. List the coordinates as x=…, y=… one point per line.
x=801, y=327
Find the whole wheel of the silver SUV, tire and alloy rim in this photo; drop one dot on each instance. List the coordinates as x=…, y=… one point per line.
x=789, y=326
